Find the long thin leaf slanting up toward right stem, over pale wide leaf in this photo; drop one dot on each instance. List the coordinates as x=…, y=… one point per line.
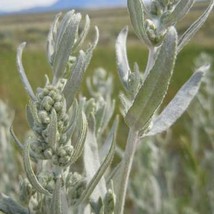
x=107, y=161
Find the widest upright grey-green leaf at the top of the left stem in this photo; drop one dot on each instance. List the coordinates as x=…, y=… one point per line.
x=65, y=41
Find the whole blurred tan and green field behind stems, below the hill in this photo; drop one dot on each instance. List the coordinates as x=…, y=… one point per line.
x=34, y=29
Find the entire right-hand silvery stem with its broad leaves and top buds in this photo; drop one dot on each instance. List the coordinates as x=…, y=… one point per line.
x=155, y=25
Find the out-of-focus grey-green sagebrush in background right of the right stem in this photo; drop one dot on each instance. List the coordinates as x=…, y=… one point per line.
x=159, y=169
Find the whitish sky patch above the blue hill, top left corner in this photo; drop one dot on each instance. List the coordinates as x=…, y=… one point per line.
x=16, y=5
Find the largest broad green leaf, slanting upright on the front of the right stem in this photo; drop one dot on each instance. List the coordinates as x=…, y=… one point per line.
x=154, y=89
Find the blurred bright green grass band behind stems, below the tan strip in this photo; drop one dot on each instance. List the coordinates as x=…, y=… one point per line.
x=35, y=63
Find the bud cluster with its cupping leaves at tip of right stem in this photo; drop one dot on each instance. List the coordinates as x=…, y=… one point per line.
x=152, y=22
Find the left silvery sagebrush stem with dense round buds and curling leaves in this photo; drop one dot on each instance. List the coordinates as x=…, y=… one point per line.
x=60, y=124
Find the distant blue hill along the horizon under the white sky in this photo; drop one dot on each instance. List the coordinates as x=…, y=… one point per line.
x=68, y=4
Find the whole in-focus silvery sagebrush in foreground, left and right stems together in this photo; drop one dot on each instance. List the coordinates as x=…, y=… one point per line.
x=66, y=126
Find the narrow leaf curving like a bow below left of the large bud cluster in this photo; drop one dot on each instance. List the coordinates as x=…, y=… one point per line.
x=30, y=173
